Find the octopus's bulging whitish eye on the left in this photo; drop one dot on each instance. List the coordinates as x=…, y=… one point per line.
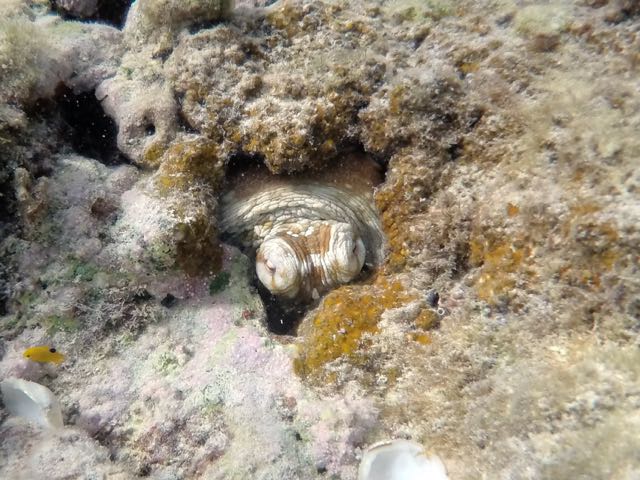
x=278, y=267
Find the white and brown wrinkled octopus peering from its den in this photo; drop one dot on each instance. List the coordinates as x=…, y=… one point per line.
x=308, y=232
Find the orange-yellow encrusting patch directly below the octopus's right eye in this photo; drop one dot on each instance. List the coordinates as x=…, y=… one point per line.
x=343, y=325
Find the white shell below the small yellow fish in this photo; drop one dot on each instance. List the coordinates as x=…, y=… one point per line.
x=32, y=401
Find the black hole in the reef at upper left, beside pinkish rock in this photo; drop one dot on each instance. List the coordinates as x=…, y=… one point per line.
x=89, y=130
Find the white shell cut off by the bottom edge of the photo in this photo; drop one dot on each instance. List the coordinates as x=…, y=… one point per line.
x=400, y=460
